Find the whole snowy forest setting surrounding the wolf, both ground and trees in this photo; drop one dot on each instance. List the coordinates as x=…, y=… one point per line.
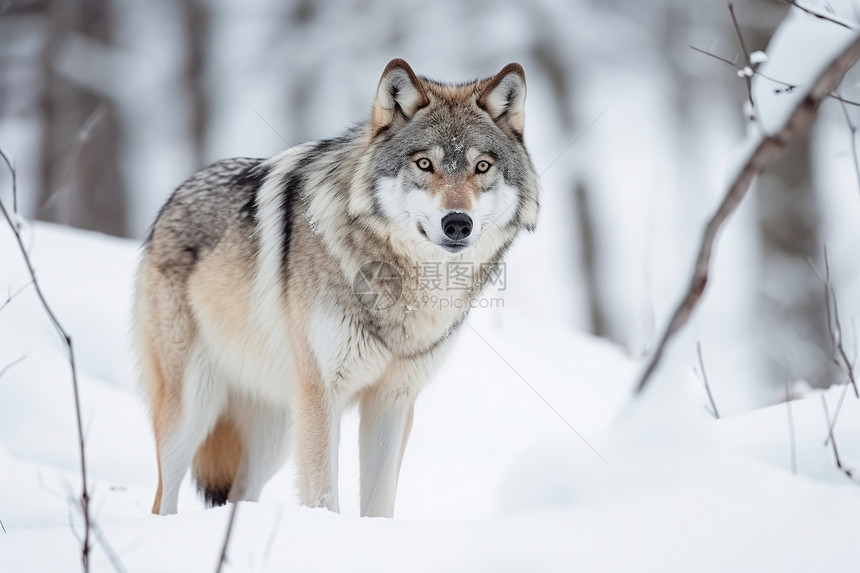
x=529, y=451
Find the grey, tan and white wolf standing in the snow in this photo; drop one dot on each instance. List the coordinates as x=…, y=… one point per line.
x=274, y=293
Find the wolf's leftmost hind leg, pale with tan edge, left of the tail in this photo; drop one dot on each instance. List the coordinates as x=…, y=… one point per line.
x=201, y=403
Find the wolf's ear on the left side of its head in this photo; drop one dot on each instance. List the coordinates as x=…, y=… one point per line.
x=399, y=95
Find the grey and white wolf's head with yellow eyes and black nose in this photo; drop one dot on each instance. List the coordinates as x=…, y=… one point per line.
x=448, y=167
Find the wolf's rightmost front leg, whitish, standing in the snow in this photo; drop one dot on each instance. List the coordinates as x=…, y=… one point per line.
x=386, y=420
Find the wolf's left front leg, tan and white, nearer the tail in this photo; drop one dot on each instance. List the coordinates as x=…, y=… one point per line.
x=317, y=440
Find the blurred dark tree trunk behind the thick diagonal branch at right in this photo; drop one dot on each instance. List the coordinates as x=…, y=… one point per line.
x=792, y=298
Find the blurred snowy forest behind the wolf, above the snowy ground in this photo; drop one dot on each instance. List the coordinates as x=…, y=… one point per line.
x=107, y=105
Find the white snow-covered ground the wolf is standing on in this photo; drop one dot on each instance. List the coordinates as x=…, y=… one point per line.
x=498, y=476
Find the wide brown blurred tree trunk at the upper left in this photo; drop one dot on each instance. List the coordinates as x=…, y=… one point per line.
x=81, y=185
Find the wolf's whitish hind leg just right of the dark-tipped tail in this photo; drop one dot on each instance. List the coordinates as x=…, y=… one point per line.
x=266, y=443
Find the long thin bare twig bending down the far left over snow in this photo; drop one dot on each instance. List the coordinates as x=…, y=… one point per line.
x=85, y=497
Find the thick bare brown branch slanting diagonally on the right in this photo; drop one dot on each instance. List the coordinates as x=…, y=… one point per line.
x=769, y=147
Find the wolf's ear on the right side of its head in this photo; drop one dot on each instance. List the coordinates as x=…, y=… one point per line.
x=504, y=98
